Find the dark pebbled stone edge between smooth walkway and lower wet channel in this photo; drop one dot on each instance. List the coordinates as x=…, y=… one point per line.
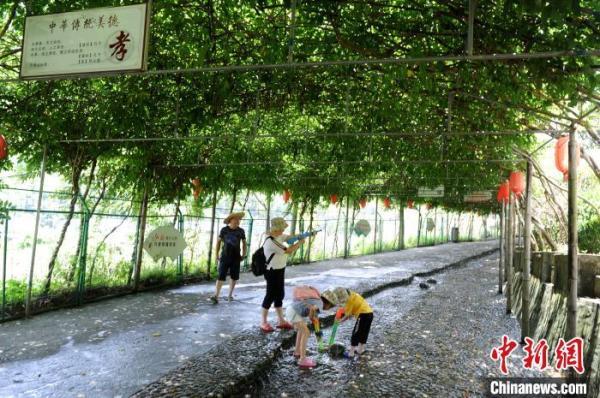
x=228, y=368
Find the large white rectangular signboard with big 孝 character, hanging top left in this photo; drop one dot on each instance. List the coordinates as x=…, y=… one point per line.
x=93, y=41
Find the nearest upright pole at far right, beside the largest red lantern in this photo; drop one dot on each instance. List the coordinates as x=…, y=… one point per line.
x=573, y=261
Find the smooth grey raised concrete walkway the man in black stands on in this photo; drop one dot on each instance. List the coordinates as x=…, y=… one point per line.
x=112, y=348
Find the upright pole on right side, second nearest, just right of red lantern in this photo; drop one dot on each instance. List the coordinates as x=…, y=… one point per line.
x=525, y=275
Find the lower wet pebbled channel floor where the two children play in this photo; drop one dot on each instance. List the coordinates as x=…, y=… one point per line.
x=423, y=343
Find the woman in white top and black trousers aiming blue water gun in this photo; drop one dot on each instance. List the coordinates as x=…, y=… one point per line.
x=276, y=253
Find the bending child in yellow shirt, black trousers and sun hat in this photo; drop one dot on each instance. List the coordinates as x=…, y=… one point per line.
x=354, y=306
